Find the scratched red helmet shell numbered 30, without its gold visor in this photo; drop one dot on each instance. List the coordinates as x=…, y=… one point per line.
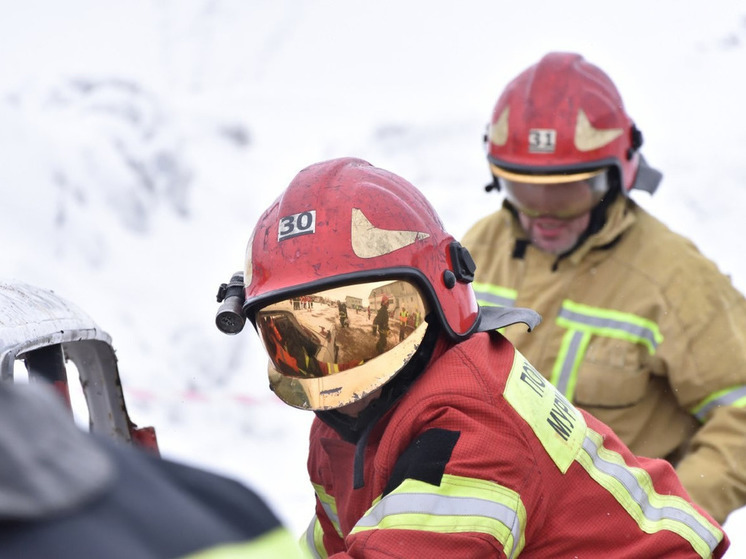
x=345, y=221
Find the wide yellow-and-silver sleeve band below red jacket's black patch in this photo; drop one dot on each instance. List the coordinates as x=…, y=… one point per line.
x=457, y=505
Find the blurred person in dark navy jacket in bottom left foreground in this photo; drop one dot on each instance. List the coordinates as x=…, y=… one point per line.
x=66, y=493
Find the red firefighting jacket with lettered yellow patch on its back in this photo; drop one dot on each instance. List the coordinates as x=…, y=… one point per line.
x=483, y=457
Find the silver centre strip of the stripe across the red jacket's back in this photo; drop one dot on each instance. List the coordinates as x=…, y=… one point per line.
x=638, y=494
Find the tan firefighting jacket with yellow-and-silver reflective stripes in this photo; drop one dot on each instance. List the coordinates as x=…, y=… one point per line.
x=641, y=330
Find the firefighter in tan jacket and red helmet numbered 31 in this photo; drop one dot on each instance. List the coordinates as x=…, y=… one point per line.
x=640, y=329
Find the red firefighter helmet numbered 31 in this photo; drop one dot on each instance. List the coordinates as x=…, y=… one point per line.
x=564, y=116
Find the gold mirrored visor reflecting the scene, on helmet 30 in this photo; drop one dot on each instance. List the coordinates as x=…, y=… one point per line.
x=331, y=348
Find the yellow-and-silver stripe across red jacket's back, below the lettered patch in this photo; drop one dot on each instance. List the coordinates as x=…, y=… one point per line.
x=653, y=512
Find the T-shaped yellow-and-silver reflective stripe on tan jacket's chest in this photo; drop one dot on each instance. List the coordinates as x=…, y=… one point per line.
x=584, y=321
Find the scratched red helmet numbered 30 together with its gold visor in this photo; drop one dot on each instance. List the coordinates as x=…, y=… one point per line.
x=342, y=224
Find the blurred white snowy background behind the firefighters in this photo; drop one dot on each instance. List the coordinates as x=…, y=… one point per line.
x=140, y=140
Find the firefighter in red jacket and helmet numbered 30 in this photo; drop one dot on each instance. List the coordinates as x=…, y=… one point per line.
x=448, y=442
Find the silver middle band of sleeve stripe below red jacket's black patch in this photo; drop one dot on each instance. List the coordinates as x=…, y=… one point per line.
x=440, y=505
